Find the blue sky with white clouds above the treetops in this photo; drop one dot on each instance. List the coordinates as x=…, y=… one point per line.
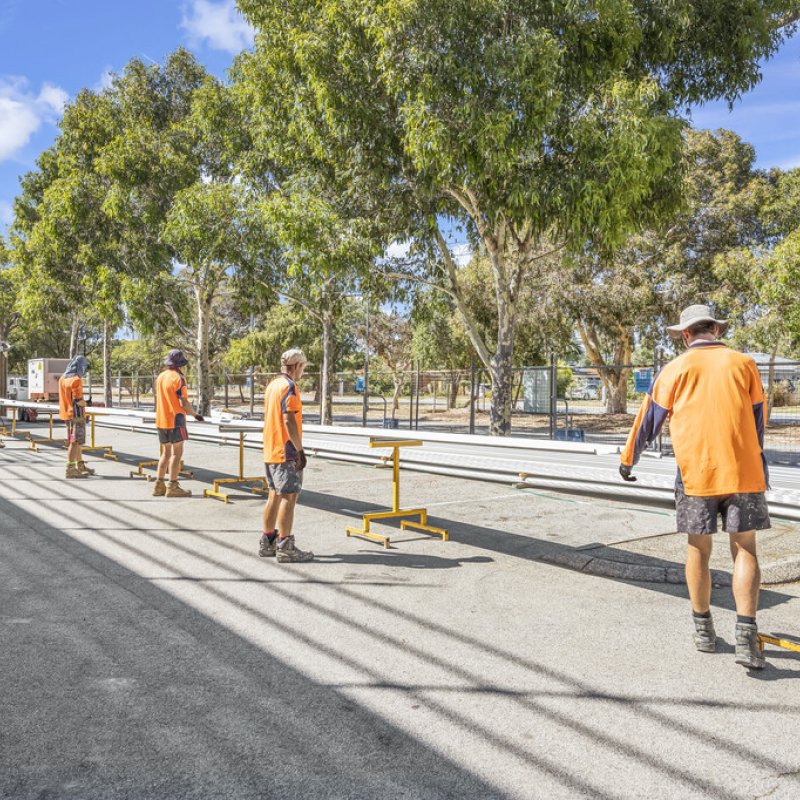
x=50, y=49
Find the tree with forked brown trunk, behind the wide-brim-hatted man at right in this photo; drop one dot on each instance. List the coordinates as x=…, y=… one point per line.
x=623, y=295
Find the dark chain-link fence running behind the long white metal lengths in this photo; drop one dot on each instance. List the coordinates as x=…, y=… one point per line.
x=555, y=401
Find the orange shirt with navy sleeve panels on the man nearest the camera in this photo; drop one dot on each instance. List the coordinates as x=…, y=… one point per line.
x=715, y=403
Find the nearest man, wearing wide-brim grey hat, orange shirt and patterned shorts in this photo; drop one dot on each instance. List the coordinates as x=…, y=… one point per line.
x=715, y=403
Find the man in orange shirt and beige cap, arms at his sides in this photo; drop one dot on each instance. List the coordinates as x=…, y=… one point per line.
x=284, y=459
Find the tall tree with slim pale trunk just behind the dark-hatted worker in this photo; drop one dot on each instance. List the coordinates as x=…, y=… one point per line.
x=176, y=196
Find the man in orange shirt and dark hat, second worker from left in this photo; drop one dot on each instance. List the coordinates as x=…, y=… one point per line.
x=172, y=406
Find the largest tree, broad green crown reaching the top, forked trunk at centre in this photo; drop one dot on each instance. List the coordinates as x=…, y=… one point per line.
x=528, y=122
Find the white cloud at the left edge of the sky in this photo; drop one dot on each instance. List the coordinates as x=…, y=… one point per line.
x=22, y=113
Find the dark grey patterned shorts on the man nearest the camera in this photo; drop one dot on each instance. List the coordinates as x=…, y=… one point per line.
x=740, y=512
